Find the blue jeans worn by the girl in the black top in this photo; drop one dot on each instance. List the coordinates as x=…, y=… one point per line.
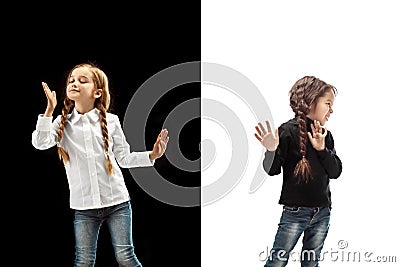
x=313, y=222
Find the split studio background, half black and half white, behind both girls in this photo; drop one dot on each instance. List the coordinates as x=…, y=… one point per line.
x=353, y=45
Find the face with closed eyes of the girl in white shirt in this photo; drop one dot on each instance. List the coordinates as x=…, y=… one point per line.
x=81, y=87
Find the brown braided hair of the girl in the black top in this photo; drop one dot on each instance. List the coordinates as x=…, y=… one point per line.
x=303, y=95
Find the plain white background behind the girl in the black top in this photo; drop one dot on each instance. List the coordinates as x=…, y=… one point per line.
x=353, y=45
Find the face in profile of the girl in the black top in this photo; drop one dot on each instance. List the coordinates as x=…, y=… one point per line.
x=322, y=108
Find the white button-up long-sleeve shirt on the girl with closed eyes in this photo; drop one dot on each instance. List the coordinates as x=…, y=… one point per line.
x=89, y=183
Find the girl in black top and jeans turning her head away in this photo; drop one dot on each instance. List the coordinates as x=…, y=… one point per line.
x=303, y=150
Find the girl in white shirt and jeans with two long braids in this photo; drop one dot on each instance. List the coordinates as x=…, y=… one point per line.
x=93, y=147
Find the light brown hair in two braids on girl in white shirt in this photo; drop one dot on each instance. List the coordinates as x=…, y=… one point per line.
x=102, y=104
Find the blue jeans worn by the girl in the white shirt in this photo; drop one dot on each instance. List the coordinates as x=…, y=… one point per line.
x=87, y=225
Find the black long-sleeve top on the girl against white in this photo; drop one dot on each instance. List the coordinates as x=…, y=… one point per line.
x=325, y=165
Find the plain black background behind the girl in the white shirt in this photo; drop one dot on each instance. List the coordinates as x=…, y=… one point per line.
x=130, y=42
